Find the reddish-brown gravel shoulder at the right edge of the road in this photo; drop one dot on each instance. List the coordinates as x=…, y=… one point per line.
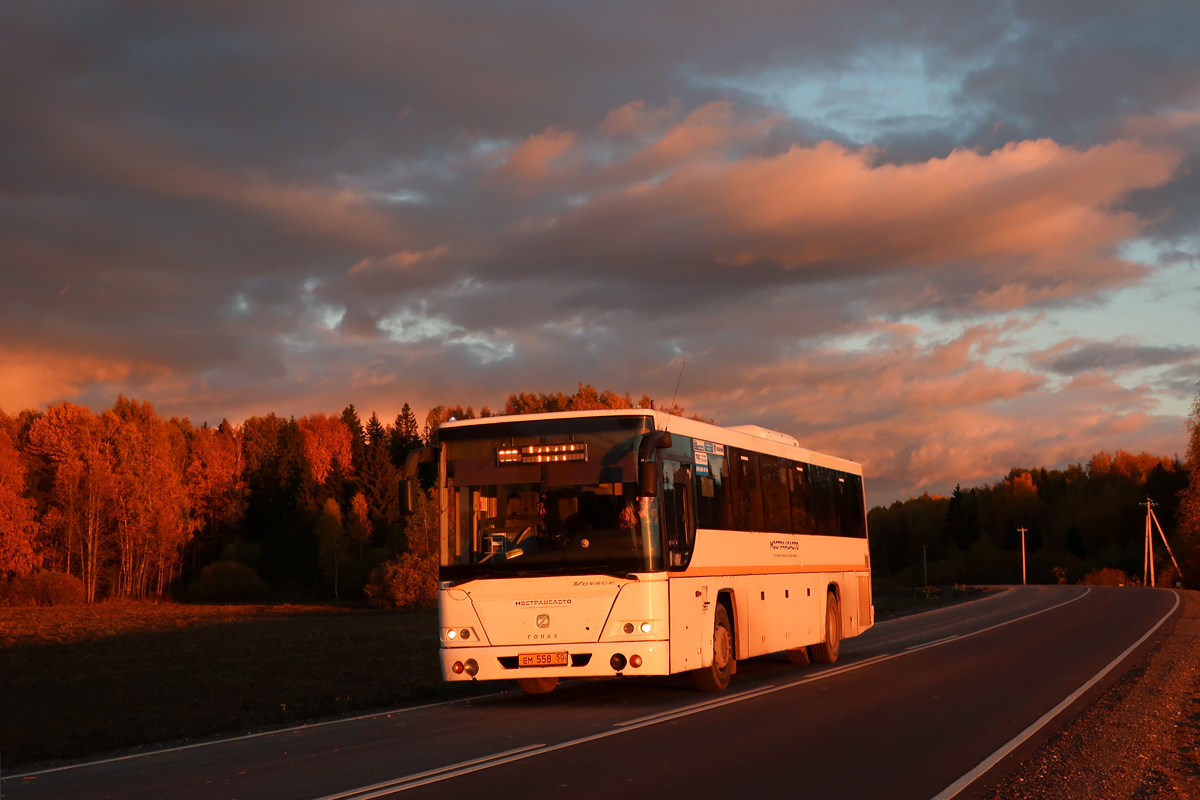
x=1141, y=739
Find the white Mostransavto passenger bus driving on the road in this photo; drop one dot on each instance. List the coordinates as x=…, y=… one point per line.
x=632, y=543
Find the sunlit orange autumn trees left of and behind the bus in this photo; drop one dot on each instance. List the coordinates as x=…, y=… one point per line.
x=135, y=506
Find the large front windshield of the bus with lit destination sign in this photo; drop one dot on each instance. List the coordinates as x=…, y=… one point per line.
x=548, y=497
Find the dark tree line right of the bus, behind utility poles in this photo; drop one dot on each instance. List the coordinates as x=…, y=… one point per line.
x=1077, y=521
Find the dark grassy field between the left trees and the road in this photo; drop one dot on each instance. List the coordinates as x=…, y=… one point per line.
x=80, y=682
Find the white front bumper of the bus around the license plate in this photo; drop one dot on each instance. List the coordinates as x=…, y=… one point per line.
x=584, y=660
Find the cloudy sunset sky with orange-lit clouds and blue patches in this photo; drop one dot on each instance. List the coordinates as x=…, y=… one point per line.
x=940, y=238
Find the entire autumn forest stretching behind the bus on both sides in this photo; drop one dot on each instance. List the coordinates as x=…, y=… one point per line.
x=125, y=504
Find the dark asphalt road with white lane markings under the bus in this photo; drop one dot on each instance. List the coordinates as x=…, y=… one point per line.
x=911, y=708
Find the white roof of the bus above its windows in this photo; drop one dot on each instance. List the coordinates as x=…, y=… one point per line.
x=748, y=437
